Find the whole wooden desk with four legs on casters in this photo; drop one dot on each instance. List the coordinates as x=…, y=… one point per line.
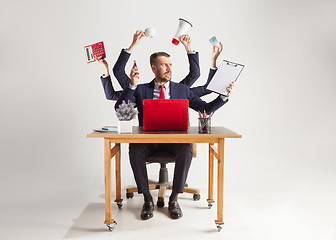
x=217, y=135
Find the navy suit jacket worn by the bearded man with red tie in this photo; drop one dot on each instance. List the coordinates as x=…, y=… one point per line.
x=177, y=91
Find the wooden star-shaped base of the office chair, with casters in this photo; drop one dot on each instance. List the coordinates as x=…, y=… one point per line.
x=162, y=187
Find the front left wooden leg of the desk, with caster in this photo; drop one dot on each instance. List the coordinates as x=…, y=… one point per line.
x=107, y=168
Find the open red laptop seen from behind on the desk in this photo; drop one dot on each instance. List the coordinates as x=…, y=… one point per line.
x=165, y=114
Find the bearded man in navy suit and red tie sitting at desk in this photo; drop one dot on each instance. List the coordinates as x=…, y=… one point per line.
x=162, y=87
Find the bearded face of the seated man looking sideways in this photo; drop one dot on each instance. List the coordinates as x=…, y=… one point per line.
x=163, y=69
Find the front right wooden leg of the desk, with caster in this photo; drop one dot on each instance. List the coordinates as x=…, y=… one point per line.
x=220, y=184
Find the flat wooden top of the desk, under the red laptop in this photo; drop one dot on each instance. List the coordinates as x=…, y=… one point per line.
x=192, y=133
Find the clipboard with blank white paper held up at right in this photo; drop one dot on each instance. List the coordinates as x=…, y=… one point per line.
x=226, y=73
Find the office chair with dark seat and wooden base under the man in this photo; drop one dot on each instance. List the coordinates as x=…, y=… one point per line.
x=163, y=184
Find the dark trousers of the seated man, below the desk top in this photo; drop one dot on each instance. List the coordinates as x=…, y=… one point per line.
x=139, y=152
